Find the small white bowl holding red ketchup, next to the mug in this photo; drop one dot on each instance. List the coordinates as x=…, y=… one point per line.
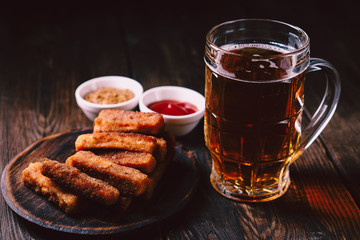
x=177, y=125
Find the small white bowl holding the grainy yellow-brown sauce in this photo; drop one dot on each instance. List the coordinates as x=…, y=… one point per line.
x=92, y=110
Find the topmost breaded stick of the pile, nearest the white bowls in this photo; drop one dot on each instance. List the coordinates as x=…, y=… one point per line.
x=114, y=120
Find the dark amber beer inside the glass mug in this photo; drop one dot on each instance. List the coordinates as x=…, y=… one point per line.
x=253, y=113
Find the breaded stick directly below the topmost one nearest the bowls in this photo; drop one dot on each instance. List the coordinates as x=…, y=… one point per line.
x=125, y=141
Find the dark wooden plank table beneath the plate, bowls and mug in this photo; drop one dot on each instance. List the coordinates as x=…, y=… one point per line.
x=45, y=55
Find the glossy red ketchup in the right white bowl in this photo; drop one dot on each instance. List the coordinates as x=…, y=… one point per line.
x=172, y=107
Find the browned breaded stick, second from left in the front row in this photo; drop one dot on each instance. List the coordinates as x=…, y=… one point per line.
x=80, y=183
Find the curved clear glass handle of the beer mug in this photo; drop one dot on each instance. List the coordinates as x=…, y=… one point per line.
x=326, y=108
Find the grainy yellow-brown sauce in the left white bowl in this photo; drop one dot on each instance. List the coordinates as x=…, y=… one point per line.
x=109, y=95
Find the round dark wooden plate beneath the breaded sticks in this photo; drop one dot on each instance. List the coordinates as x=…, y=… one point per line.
x=175, y=189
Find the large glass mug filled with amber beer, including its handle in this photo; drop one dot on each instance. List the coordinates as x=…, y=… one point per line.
x=254, y=89
